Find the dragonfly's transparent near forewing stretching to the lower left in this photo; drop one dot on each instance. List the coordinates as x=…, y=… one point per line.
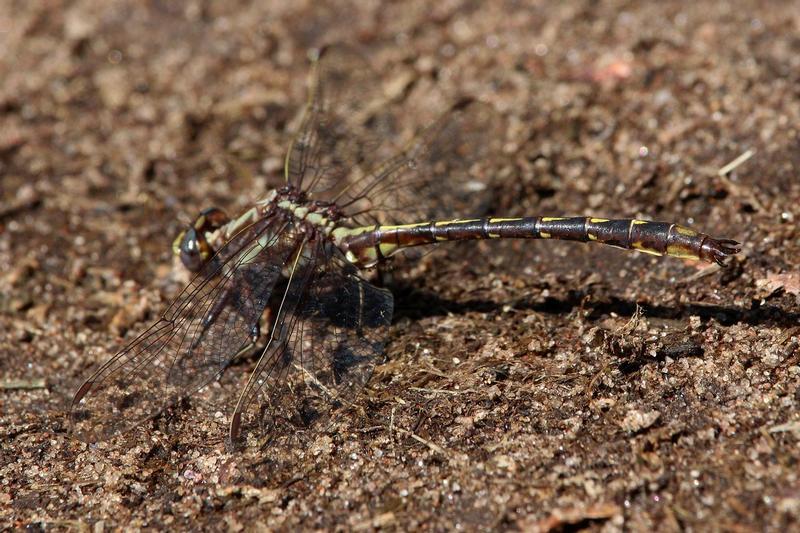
x=195, y=339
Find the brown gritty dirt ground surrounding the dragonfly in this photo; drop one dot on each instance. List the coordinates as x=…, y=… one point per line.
x=535, y=385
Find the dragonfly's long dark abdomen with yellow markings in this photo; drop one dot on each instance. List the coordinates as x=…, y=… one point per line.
x=368, y=245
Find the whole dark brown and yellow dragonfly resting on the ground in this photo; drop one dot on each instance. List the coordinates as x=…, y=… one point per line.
x=297, y=261
